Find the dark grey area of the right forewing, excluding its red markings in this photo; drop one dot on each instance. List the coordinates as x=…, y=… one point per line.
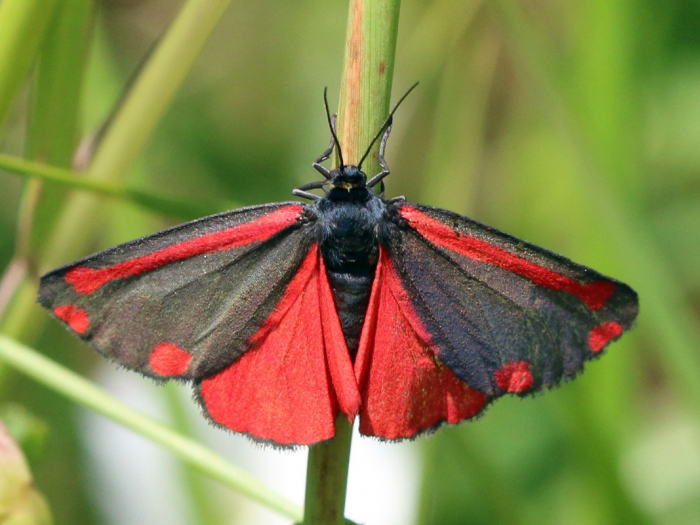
x=483, y=317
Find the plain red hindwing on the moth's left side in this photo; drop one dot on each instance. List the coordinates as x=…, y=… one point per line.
x=284, y=388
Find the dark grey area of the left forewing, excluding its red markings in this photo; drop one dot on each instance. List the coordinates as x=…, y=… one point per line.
x=208, y=304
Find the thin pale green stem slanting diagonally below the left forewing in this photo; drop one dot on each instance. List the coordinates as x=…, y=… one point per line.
x=82, y=391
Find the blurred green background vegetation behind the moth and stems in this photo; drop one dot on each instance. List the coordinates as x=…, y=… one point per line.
x=574, y=125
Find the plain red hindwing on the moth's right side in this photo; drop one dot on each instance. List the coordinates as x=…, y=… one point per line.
x=405, y=388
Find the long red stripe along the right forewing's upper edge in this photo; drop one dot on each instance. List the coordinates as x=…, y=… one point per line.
x=594, y=295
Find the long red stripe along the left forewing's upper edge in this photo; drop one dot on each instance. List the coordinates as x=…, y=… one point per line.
x=86, y=280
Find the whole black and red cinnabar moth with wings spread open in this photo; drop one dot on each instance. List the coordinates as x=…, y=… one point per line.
x=283, y=315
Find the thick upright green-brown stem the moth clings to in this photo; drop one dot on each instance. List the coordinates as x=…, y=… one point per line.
x=365, y=97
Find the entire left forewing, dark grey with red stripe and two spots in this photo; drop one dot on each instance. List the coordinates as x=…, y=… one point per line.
x=182, y=302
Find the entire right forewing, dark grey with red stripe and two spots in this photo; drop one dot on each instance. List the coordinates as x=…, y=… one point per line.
x=502, y=314
